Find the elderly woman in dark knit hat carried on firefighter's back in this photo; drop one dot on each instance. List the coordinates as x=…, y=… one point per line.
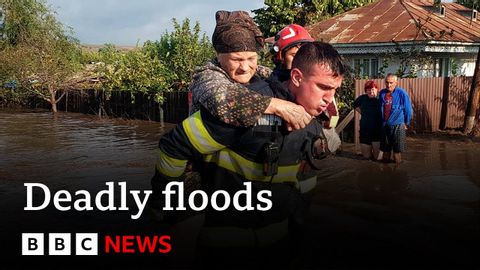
x=220, y=86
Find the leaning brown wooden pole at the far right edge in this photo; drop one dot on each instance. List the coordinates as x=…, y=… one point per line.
x=473, y=99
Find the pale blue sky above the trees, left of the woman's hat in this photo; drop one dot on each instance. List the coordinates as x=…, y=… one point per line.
x=124, y=22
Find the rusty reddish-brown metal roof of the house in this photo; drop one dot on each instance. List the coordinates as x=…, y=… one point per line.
x=399, y=21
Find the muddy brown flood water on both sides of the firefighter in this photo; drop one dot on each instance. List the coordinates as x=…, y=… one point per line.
x=424, y=213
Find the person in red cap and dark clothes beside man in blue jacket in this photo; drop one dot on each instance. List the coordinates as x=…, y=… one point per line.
x=368, y=105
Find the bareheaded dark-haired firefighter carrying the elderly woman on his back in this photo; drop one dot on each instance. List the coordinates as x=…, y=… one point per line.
x=266, y=155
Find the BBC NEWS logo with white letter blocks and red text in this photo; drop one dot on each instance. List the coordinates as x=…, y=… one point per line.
x=88, y=243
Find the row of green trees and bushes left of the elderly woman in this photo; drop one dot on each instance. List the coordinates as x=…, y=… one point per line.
x=41, y=56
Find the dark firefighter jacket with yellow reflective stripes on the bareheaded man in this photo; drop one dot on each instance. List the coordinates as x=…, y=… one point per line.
x=231, y=155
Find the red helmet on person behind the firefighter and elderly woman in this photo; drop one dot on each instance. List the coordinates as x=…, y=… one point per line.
x=289, y=36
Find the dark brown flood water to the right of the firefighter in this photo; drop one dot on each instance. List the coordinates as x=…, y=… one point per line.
x=383, y=215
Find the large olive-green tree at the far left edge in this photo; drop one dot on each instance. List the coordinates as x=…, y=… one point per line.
x=36, y=50
